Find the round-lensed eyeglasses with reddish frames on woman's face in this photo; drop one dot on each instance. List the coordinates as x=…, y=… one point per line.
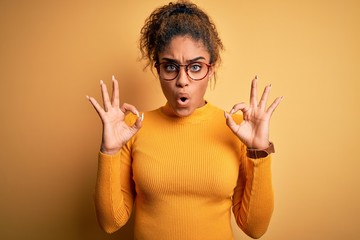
x=196, y=71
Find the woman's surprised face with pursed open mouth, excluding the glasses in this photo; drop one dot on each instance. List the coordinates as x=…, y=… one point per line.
x=183, y=94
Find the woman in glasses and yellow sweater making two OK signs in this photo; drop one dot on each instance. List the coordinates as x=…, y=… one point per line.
x=183, y=166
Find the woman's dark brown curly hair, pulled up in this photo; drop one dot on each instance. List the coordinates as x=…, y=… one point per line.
x=181, y=18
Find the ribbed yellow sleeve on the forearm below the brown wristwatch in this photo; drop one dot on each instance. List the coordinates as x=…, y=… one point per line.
x=253, y=199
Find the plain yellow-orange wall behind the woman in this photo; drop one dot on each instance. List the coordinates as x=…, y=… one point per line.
x=53, y=54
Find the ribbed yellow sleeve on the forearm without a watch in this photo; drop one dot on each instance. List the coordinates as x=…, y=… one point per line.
x=114, y=191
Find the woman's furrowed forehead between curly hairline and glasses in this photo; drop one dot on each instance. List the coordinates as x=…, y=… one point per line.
x=185, y=48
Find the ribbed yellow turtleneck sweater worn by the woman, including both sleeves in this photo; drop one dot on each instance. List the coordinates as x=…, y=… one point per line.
x=182, y=176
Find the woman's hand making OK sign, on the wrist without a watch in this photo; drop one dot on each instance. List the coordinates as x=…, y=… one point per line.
x=116, y=132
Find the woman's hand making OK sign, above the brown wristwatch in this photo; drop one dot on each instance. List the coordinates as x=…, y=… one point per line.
x=253, y=131
